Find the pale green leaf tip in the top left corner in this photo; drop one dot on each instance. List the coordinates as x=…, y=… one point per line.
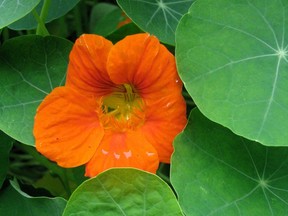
x=13, y=10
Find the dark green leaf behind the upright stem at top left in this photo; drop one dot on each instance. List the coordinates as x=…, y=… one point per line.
x=57, y=9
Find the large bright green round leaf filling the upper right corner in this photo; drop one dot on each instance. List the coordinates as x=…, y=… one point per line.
x=235, y=66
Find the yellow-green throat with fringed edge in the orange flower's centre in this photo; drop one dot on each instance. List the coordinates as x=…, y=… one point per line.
x=122, y=109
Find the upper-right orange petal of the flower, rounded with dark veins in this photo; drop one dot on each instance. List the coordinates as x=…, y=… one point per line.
x=142, y=61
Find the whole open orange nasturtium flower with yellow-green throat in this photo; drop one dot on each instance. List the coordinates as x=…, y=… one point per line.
x=121, y=106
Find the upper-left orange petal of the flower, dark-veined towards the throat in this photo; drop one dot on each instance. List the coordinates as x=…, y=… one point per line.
x=87, y=66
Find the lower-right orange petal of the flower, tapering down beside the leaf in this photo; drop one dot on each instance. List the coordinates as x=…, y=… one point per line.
x=165, y=118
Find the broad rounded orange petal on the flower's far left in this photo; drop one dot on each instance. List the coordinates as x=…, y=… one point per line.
x=66, y=127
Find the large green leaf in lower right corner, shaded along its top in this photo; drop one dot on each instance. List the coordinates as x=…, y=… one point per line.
x=216, y=172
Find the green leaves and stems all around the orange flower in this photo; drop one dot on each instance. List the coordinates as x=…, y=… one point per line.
x=231, y=159
